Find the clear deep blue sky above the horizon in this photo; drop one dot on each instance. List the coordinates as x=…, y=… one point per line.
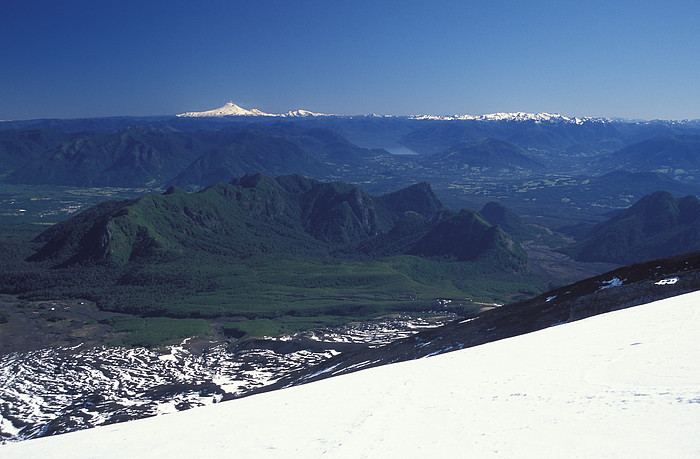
x=75, y=58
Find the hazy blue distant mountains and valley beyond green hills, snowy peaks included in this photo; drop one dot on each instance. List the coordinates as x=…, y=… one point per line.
x=554, y=171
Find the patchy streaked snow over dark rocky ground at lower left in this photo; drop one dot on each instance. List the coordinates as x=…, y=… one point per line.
x=72, y=388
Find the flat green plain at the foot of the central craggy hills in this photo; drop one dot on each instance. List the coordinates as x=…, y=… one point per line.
x=267, y=287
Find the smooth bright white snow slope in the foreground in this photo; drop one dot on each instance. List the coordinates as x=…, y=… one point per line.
x=622, y=384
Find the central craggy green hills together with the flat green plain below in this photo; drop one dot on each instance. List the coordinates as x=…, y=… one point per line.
x=292, y=249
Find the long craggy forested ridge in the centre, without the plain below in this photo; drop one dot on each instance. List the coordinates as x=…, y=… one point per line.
x=256, y=214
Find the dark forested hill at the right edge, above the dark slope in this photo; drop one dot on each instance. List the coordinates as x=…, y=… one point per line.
x=655, y=226
